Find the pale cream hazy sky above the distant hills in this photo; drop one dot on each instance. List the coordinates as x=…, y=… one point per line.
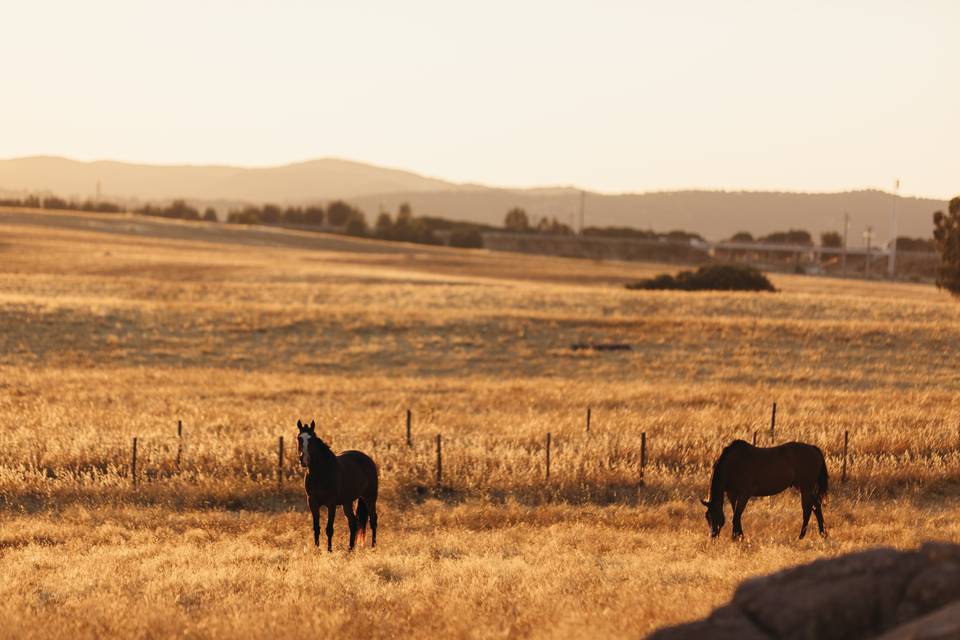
x=612, y=96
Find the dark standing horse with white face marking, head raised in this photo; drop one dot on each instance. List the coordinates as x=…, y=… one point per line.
x=333, y=481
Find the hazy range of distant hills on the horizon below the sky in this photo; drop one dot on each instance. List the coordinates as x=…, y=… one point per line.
x=713, y=214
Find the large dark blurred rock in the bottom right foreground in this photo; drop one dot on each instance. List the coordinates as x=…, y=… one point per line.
x=861, y=595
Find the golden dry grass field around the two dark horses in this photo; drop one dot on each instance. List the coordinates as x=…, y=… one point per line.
x=113, y=327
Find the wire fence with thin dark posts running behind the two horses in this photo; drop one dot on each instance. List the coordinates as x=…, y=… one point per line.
x=468, y=459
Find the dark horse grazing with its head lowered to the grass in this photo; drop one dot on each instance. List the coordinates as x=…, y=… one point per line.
x=743, y=471
